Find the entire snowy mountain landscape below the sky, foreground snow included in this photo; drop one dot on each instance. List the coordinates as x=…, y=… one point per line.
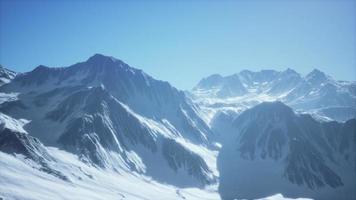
x=104, y=130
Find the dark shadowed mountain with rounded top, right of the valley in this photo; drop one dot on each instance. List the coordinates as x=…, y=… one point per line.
x=270, y=148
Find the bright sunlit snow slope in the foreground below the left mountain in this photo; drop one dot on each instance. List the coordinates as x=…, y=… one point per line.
x=19, y=179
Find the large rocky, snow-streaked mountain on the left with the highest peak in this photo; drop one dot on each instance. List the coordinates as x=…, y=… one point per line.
x=115, y=117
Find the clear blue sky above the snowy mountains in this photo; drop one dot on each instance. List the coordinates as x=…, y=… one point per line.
x=183, y=41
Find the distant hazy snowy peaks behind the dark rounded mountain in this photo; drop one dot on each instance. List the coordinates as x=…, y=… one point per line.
x=316, y=93
